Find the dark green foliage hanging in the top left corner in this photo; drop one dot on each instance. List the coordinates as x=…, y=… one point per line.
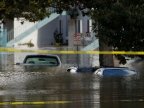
x=32, y=10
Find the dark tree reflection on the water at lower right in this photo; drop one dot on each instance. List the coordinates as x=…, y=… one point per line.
x=121, y=93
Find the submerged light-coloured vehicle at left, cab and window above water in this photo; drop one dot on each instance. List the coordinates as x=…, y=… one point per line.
x=41, y=62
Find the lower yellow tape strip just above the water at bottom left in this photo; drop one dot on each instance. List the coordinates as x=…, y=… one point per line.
x=35, y=103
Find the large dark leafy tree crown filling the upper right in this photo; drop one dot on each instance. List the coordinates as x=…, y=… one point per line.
x=120, y=24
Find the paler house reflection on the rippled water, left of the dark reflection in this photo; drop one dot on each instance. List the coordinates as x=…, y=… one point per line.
x=42, y=86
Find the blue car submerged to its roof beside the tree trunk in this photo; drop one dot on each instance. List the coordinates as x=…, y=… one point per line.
x=115, y=72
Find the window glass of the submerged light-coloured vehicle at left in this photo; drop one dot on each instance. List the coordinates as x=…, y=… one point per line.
x=47, y=60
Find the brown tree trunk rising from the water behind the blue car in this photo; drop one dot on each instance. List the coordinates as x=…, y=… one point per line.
x=105, y=59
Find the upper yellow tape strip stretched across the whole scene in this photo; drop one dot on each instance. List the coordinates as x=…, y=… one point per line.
x=3, y=49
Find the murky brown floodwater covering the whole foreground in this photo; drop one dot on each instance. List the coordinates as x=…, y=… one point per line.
x=26, y=89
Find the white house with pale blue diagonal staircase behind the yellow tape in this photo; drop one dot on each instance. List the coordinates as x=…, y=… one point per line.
x=74, y=34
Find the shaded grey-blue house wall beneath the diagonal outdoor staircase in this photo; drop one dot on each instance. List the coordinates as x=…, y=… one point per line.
x=46, y=33
